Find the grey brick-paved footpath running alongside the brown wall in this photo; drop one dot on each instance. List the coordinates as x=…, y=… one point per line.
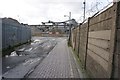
x=60, y=63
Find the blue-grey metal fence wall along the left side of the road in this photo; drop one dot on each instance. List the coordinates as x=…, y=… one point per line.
x=14, y=33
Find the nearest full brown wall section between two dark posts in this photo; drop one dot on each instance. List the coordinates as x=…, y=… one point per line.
x=100, y=44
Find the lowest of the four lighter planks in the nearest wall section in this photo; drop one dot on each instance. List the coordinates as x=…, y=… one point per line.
x=98, y=59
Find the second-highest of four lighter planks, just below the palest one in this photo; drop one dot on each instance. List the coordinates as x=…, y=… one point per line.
x=98, y=42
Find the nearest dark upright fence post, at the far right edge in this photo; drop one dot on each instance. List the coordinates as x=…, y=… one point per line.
x=116, y=43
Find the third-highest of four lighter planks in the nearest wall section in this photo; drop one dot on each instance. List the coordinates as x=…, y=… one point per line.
x=99, y=51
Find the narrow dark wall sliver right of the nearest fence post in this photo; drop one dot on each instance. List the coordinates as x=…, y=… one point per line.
x=116, y=57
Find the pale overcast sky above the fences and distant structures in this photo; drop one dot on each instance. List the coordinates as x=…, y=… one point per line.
x=37, y=11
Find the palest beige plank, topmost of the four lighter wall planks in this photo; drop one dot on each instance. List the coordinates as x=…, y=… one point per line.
x=104, y=34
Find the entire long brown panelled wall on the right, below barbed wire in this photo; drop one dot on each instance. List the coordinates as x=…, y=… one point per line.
x=96, y=43
